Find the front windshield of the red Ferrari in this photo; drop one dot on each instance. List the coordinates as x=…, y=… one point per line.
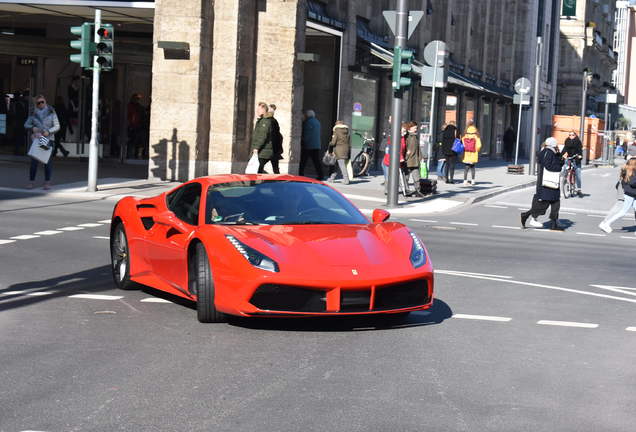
x=276, y=202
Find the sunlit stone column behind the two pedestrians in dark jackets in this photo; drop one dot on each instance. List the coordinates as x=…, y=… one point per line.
x=279, y=76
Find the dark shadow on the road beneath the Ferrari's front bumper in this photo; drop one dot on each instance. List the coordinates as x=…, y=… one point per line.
x=439, y=312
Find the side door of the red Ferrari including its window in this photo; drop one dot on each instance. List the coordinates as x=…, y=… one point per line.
x=167, y=244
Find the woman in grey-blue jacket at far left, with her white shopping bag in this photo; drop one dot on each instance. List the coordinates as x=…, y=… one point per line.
x=43, y=123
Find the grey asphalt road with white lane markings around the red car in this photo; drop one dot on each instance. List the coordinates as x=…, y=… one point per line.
x=518, y=339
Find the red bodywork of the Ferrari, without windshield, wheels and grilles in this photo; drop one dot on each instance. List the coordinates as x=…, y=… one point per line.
x=330, y=259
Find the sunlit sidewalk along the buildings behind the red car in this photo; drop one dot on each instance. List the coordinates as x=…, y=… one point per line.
x=117, y=180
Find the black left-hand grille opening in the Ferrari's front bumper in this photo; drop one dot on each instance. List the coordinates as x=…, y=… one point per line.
x=289, y=298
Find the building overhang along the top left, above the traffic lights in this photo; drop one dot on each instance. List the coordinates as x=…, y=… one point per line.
x=112, y=10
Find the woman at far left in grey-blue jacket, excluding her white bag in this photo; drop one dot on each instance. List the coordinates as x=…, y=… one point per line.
x=42, y=123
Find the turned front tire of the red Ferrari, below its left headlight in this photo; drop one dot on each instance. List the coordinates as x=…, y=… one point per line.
x=204, y=286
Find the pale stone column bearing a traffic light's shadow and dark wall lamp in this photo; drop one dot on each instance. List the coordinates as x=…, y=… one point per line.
x=180, y=115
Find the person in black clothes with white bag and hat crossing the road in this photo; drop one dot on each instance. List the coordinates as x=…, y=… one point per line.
x=549, y=165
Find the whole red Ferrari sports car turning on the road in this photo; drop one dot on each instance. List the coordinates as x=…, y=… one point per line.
x=268, y=245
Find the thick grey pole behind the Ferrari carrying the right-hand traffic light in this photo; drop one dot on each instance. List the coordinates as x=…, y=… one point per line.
x=402, y=15
